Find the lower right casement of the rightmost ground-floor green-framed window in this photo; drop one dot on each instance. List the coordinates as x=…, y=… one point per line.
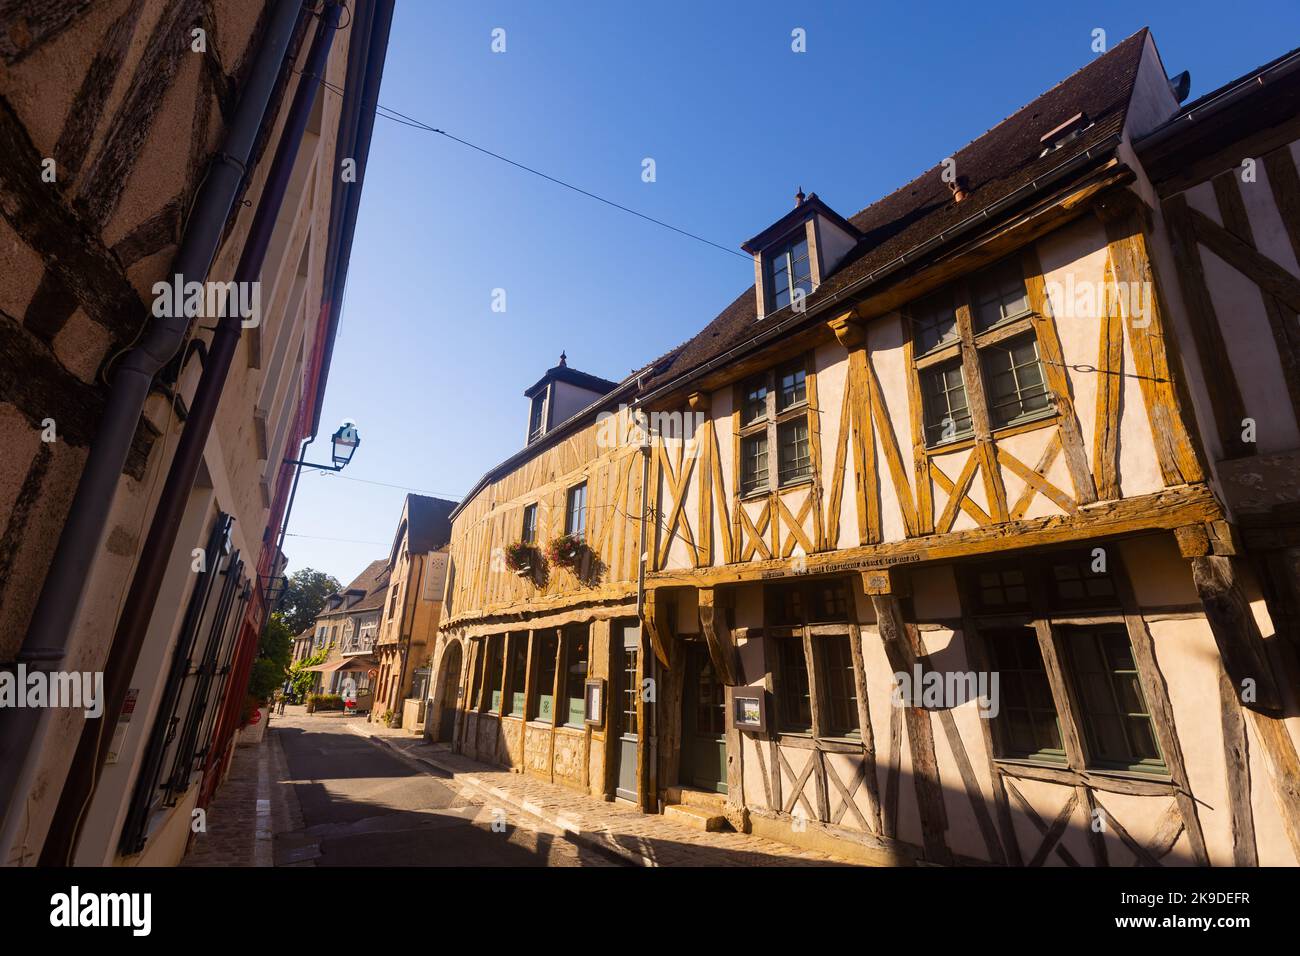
x=1117, y=724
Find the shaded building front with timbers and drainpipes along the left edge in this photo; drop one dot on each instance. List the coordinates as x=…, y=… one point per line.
x=149, y=145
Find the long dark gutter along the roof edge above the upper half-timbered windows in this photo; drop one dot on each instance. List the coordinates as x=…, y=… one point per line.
x=1056, y=175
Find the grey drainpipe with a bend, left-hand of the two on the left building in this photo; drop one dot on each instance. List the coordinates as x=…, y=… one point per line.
x=80, y=543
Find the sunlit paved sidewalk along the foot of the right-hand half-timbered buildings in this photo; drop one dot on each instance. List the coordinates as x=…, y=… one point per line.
x=614, y=829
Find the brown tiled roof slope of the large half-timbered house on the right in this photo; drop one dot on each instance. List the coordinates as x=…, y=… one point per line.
x=991, y=168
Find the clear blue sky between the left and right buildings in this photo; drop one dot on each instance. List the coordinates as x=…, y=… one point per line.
x=735, y=122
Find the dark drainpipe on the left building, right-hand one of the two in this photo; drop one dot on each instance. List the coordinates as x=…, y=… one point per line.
x=140, y=605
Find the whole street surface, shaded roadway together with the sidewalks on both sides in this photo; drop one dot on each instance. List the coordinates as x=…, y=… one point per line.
x=323, y=791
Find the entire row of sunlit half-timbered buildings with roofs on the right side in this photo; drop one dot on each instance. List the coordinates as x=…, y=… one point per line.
x=967, y=535
